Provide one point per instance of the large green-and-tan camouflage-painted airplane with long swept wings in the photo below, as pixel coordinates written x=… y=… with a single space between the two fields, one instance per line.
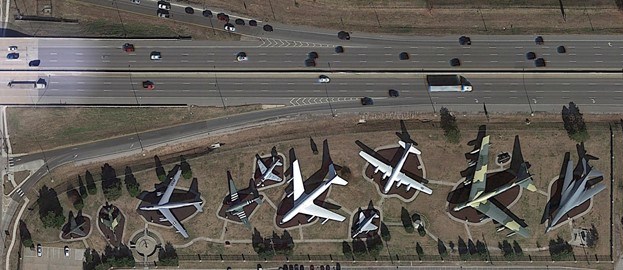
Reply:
x=483 y=201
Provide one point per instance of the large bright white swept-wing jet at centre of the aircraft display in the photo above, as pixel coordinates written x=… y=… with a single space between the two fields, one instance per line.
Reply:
x=304 y=202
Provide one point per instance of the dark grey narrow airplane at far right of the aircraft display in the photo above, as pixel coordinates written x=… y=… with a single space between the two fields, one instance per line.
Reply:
x=579 y=185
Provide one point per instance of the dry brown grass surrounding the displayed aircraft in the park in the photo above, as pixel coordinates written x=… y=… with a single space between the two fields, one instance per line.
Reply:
x=543 y=145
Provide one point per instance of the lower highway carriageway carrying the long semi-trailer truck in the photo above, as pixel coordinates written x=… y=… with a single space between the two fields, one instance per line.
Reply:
x=290 y=89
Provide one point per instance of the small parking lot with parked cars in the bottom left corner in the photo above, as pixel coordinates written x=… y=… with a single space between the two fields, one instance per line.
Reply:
x=53 y=258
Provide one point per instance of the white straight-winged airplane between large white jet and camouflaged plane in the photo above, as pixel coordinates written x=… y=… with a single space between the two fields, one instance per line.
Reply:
x=394 y=174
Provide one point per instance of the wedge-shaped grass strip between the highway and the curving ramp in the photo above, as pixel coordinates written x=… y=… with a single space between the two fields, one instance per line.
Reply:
x=55 y=127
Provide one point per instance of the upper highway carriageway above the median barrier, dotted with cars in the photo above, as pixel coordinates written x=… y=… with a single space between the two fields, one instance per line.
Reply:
x=504 y=53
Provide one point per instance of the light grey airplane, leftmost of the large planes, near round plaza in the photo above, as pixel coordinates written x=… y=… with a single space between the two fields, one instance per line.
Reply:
x=164 y=205
